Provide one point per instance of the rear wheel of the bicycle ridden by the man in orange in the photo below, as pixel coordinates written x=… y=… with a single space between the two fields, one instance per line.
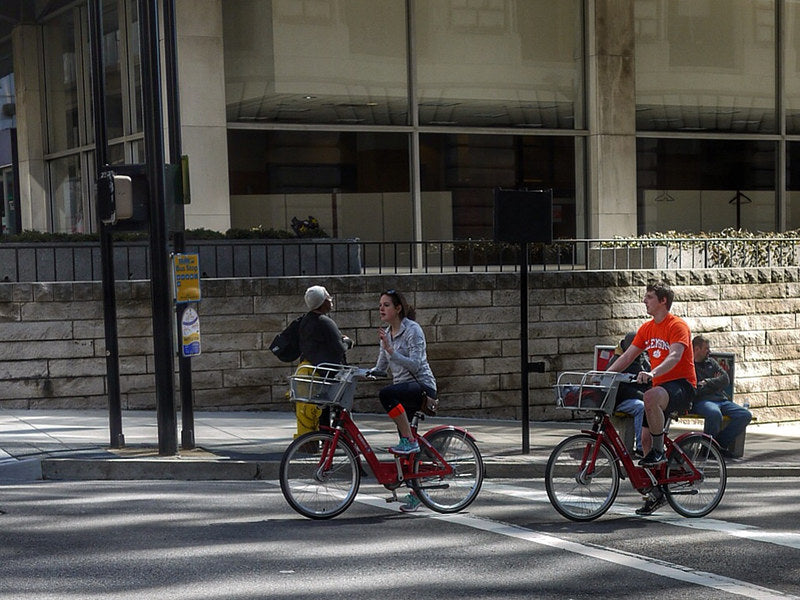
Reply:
x=696 y=498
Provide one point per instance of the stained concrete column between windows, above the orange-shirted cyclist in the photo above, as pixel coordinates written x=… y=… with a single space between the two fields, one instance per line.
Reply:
x=612 y=118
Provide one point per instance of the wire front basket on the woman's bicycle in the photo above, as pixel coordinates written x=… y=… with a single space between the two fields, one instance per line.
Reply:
x=325 y=384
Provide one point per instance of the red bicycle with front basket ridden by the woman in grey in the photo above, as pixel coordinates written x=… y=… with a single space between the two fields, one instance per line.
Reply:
x=320 y=472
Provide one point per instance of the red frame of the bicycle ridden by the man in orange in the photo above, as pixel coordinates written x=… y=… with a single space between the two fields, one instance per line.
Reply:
x=641 y=478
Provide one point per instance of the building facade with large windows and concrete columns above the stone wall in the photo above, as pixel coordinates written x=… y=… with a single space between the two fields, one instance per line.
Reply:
x=396 y=119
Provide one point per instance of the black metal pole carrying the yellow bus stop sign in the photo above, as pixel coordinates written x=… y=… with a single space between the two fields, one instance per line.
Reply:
x=178 y=236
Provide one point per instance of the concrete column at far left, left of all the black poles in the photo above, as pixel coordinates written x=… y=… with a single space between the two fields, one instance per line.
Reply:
x=28 y=79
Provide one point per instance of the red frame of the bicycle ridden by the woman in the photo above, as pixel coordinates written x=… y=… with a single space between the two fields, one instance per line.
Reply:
x=394 y=472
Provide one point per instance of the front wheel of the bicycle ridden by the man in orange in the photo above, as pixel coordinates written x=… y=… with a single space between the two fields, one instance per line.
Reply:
x=581 y=488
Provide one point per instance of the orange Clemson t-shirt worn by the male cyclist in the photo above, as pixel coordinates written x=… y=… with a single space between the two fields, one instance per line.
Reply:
x=656 y=338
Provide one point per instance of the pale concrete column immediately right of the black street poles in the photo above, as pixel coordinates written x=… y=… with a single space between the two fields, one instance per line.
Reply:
x=201 y=69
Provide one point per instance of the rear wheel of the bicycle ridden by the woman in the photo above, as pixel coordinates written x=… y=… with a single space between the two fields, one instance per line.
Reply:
x=456 y=491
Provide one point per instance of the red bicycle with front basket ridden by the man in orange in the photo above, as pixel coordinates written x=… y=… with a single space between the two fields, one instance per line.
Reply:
x=583 y=472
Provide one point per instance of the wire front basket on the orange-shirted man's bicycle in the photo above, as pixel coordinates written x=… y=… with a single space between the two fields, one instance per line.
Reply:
x=592 y=390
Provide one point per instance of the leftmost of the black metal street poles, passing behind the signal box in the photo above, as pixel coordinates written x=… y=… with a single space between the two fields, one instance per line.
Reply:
x=117 y=439
